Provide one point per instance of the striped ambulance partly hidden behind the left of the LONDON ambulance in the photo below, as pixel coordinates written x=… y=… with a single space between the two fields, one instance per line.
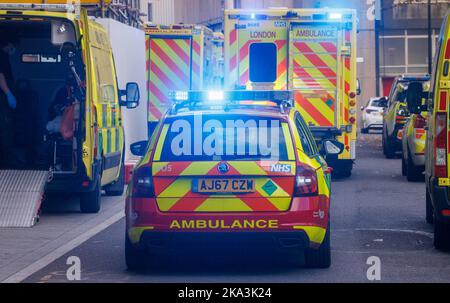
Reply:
x=179 y=57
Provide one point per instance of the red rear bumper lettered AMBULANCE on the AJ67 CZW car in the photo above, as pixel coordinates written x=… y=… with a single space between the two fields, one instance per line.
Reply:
x=307 y=218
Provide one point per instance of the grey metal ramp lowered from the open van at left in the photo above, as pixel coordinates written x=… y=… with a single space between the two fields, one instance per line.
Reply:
x=21 y=193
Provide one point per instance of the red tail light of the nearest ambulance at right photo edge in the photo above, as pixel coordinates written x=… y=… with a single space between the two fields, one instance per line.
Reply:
x=440 y=146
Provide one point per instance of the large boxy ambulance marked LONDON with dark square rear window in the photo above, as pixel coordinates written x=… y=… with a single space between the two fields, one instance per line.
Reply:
x=309 y=51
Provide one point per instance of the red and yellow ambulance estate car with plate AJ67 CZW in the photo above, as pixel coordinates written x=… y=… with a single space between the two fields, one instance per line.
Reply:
x=226 y=166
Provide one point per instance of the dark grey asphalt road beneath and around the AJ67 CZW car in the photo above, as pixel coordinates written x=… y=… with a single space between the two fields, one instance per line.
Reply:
x=376 y=212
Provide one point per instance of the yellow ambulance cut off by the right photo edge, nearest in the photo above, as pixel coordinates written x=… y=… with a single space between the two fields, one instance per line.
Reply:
x=437 y=143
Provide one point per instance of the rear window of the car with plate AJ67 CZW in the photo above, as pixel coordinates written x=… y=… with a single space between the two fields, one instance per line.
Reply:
x=226 y=138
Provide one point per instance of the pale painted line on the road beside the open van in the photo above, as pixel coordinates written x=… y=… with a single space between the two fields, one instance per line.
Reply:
x=61 y=251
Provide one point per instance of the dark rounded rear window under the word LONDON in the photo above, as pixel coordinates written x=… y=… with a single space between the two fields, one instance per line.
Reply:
x=263 y=62
